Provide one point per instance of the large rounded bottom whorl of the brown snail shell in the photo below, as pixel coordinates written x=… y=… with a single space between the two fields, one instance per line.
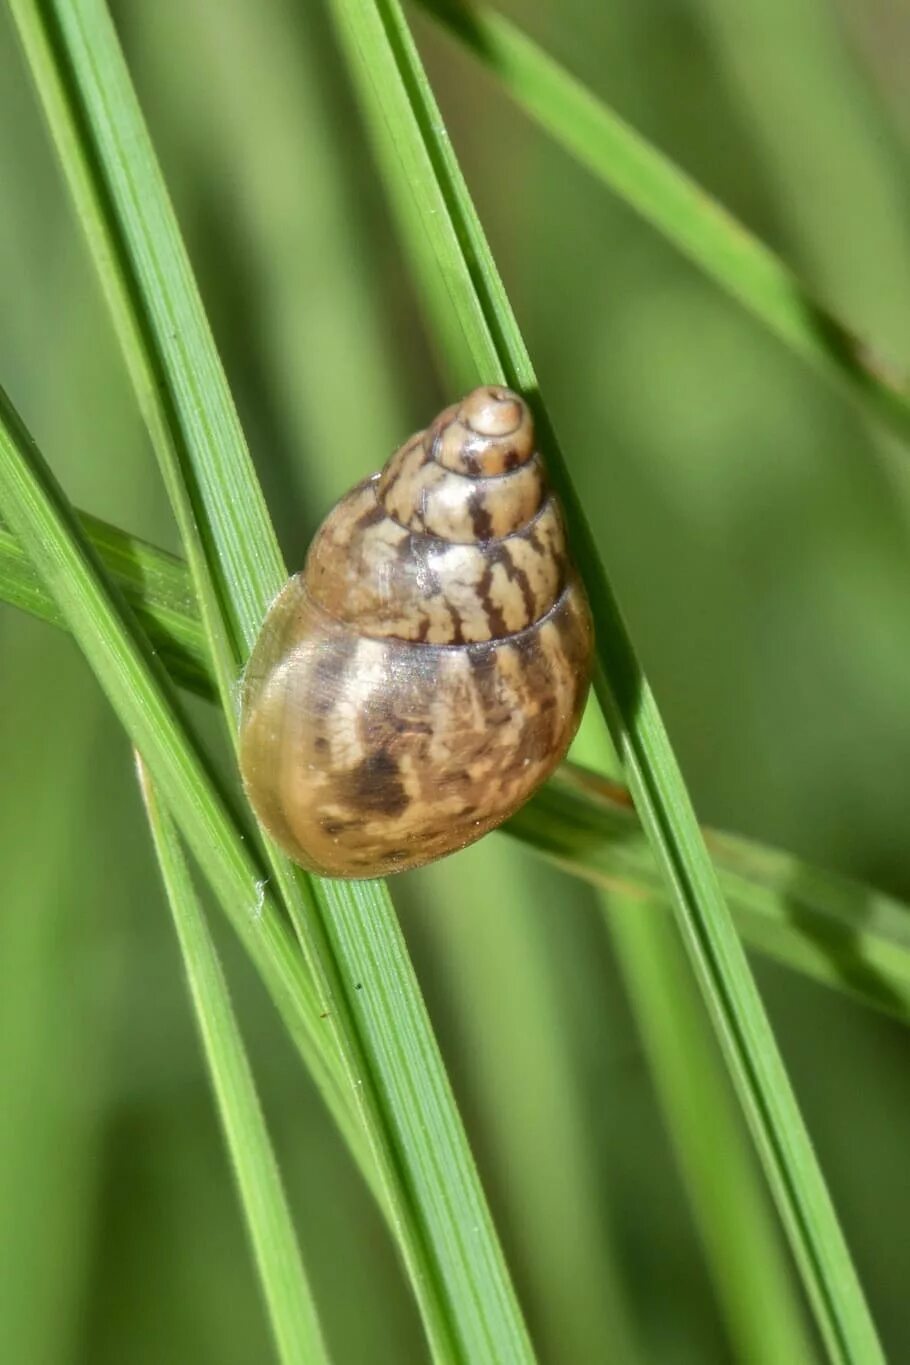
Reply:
x=429 y=747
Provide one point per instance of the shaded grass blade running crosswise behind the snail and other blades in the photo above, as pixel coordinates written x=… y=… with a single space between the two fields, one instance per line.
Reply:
x=842 y=934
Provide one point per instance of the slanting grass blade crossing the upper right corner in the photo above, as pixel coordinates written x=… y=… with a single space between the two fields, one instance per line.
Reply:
x=673 y=204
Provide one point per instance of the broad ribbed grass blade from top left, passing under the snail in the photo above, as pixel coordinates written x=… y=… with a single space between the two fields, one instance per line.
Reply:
x=456 y=1267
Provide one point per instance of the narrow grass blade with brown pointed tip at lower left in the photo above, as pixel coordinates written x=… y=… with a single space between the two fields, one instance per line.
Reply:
x=284 y=1282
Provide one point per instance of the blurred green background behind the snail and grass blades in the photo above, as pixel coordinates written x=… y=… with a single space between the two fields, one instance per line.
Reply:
x=758 y=533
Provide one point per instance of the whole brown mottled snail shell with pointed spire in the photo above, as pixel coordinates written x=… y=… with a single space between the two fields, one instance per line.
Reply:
x=428 y=670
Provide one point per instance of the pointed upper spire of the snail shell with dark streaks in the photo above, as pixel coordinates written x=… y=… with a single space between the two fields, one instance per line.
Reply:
x=456 y=541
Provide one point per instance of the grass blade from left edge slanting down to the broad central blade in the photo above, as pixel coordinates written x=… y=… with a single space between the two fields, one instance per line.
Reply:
x=137 y=687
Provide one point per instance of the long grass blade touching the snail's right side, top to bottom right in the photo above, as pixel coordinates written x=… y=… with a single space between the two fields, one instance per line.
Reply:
x=429 y=188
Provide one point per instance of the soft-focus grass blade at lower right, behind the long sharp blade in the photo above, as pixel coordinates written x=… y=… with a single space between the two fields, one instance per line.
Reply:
x=746 y=1254
